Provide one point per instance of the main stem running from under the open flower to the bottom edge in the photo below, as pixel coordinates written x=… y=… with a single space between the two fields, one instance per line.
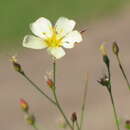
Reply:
x=55 y=96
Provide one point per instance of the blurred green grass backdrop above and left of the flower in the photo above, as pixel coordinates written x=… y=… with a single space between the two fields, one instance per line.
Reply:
x=16 y=15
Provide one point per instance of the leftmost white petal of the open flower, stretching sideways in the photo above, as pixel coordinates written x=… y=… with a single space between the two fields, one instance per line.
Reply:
x=33 y=42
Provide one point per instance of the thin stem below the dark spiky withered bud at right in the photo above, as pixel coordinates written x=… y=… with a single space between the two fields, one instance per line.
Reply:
x=114 y=110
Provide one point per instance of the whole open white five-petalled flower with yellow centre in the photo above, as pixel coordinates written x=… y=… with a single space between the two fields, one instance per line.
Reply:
x=53 y=37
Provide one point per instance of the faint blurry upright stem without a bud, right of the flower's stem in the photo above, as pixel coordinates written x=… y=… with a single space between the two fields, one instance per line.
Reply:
x=83 y=105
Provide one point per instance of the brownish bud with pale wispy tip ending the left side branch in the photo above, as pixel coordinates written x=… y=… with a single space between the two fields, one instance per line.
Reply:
x=16 y=65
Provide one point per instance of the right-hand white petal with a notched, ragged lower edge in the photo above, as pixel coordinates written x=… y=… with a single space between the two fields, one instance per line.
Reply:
x=71 y=38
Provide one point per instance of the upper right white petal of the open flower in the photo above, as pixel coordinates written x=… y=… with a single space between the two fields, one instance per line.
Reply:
x=64 y=26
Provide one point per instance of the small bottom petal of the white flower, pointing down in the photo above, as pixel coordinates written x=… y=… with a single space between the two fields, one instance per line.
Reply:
x=56 y=52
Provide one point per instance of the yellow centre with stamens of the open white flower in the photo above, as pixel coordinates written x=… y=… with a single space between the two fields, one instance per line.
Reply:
x=54 y=40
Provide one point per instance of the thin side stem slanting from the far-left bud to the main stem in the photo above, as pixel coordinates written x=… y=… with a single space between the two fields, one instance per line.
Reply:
x=37 y=88
